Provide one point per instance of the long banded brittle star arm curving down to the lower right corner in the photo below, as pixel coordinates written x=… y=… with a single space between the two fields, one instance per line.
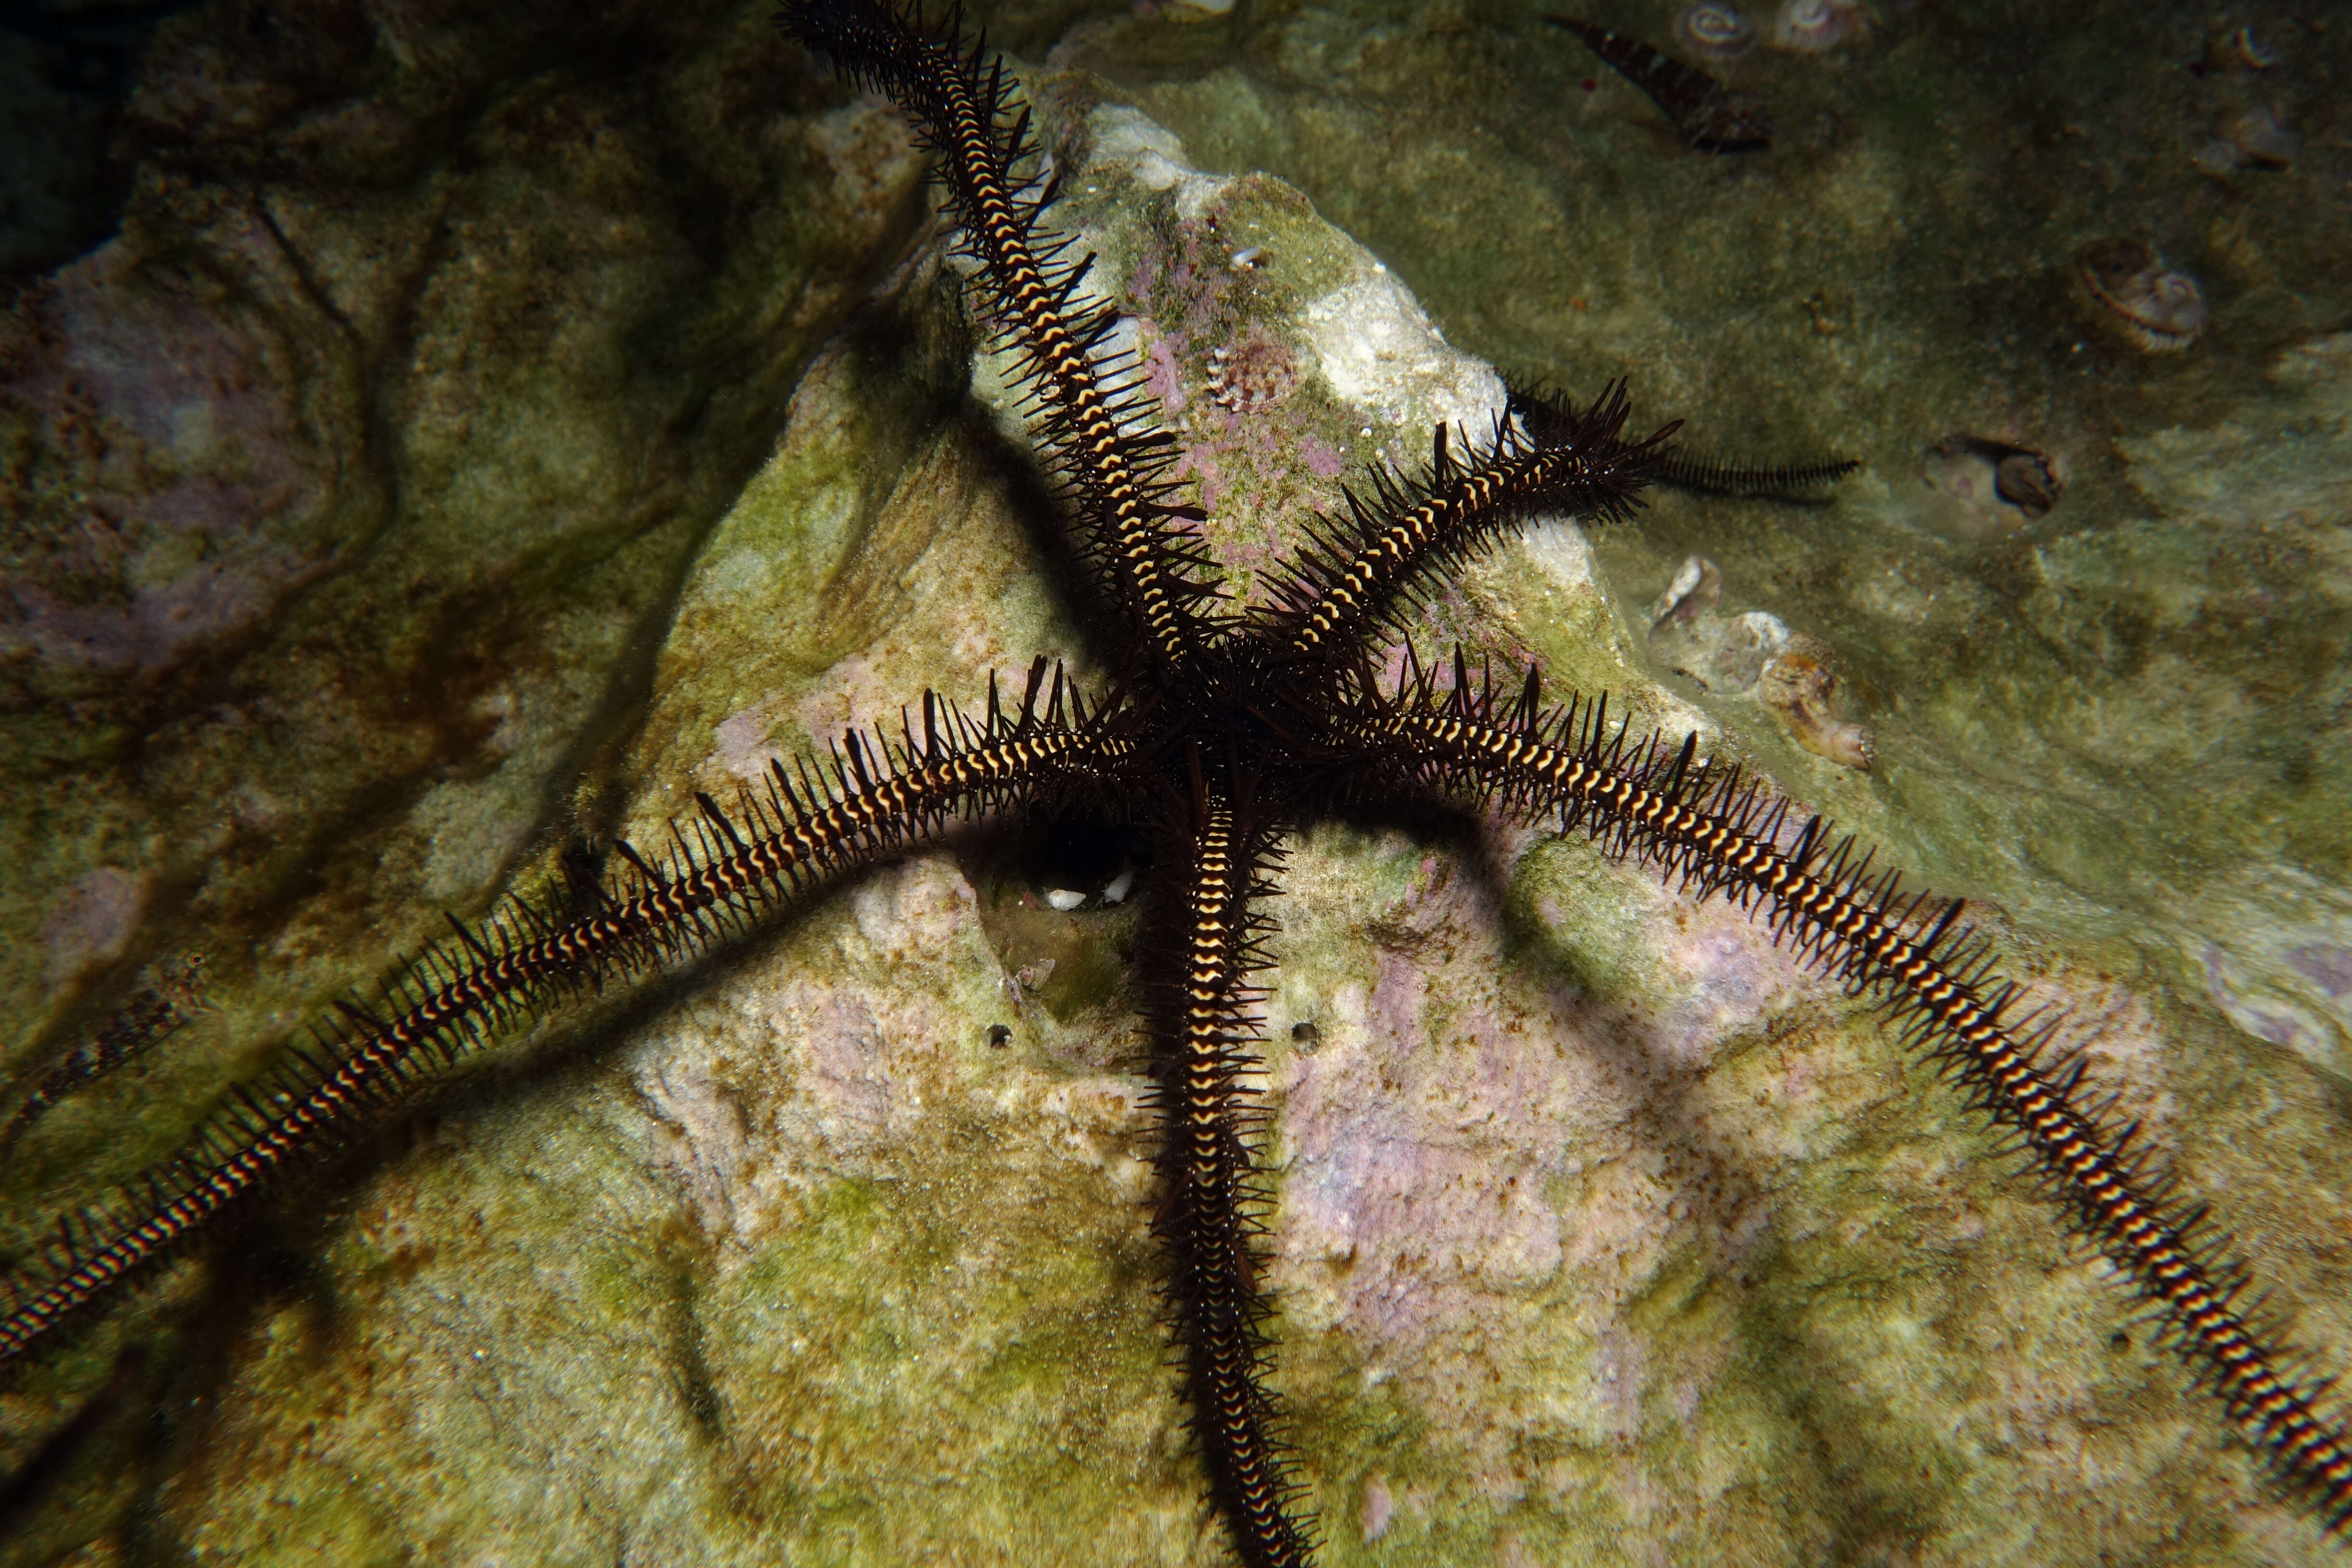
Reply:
x=1720 y=836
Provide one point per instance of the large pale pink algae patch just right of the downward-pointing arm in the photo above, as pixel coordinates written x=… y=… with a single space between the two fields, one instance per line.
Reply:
x=1481 y=1155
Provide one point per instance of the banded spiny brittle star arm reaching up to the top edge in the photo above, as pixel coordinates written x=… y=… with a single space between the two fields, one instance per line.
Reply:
x=1116 y=476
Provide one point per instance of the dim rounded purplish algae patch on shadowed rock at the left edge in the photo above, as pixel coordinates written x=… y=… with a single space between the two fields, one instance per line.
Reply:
x=161 y=495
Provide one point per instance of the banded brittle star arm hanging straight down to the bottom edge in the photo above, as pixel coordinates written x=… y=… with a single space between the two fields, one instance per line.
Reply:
x=1203 y=1031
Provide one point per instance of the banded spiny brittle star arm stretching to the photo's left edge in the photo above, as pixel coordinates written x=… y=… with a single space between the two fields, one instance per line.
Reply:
x=878 y=798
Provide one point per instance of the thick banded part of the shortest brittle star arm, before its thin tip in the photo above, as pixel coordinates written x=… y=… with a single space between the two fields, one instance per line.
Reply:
x=1351 y=582
